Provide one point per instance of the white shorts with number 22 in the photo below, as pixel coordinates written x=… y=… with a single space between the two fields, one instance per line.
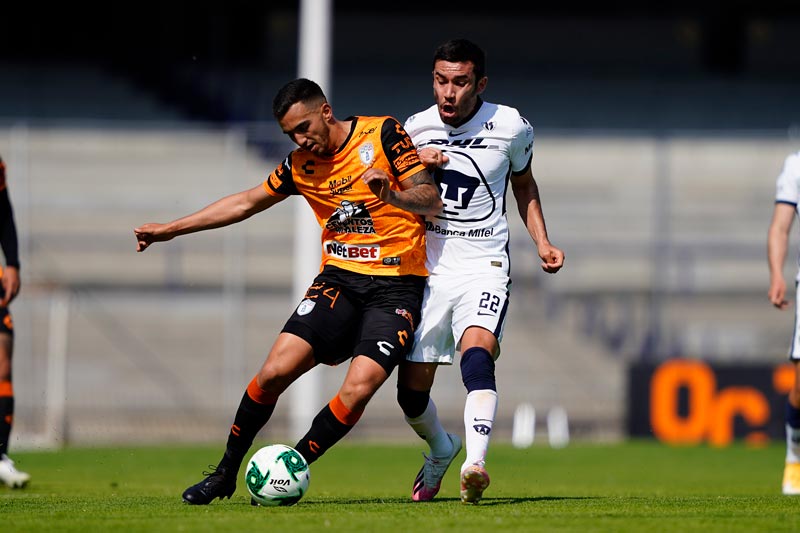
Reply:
x=450 y=306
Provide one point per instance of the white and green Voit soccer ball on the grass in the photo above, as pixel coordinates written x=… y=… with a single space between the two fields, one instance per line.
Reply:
x=277 y=475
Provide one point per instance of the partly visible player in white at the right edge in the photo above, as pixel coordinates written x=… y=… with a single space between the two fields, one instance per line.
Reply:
x=787 y=199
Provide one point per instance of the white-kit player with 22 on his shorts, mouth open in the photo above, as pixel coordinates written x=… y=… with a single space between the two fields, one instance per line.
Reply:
x=474 y=148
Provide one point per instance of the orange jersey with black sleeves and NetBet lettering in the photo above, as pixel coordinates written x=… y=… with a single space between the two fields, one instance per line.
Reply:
x=360 y=233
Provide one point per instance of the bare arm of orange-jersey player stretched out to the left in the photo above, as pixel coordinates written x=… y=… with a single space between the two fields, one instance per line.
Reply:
x=223 y=212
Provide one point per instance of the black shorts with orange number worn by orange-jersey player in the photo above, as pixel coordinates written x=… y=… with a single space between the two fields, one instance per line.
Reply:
x=345 y=314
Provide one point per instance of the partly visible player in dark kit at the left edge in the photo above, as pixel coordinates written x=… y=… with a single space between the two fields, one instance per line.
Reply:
x=9 y=279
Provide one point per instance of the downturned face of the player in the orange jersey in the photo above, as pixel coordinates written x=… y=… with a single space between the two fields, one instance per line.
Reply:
x=308 y=125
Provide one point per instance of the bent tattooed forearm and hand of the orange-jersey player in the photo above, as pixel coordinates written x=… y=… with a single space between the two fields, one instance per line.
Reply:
x=418 y=195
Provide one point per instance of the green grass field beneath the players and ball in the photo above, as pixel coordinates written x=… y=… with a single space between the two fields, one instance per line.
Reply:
x=638 y=486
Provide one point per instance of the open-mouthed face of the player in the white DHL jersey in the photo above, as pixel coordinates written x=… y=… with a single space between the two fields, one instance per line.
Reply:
x=456 y=90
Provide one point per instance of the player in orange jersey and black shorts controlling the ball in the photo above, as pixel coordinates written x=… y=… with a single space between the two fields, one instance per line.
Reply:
x=367 y=187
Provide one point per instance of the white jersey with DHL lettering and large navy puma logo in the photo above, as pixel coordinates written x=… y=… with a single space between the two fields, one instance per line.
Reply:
x=471 y=232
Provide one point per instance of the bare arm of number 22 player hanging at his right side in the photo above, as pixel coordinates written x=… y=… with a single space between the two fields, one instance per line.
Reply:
x=529 y=204
